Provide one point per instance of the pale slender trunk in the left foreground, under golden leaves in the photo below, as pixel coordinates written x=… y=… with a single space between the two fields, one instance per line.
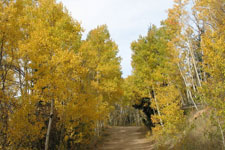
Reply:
x=49 y=125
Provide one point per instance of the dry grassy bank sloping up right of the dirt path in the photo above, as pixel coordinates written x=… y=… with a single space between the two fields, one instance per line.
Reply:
x=199 y=134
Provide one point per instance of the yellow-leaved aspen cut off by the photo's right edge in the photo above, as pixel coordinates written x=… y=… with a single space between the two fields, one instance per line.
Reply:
x=212 y=45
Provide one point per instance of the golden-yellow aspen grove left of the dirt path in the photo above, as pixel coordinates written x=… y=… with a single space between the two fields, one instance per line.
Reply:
x=56 y=90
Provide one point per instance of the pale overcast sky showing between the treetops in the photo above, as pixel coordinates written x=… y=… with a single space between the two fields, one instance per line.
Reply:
x=126 y=20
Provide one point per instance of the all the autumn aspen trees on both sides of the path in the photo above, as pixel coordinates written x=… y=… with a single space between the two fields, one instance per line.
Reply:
x=59 y=92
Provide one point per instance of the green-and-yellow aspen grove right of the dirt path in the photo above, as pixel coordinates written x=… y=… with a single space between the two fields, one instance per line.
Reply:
x=182 y=64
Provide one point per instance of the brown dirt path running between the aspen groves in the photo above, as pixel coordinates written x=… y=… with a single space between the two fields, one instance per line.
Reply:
x=125 y=138
